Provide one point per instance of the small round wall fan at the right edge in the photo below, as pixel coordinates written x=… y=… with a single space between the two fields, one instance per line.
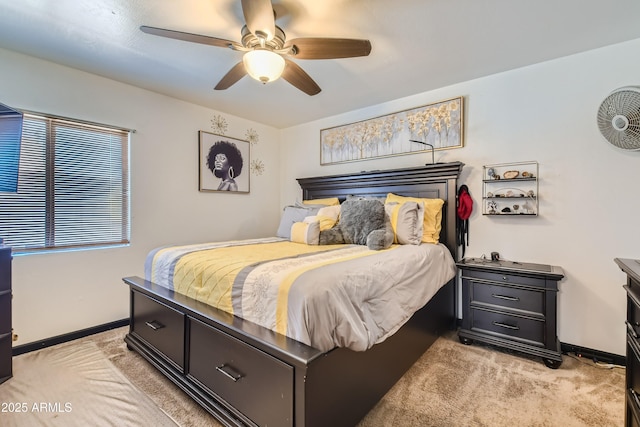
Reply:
x=619 y=118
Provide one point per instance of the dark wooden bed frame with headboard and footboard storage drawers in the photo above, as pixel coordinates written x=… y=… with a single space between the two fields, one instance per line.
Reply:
x=247 y=375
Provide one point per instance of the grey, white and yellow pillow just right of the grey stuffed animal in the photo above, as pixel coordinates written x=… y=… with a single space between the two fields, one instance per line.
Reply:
x=407 y=221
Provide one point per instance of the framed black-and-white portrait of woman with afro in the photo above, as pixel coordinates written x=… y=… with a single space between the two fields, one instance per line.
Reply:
x=224 y=163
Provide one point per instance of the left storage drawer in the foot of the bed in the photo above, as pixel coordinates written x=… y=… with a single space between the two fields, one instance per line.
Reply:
x=159 y=325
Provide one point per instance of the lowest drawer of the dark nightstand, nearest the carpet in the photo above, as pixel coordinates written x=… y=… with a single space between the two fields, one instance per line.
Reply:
x=515 y=327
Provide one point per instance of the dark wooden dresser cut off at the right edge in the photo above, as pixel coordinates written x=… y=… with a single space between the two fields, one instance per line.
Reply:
x=631 y=268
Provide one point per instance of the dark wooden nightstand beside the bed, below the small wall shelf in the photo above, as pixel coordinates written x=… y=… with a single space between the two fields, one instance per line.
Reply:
x=511 y=305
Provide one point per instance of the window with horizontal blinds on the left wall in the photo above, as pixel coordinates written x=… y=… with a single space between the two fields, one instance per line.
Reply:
x=72 y=187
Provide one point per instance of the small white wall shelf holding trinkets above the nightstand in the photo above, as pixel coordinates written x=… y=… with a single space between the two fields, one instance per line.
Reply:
x=510 y=189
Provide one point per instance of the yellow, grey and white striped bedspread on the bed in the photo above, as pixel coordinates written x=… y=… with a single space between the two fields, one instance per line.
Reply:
x=323 y=296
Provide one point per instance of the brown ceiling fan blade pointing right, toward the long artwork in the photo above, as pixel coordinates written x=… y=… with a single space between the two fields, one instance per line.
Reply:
x=328 y=48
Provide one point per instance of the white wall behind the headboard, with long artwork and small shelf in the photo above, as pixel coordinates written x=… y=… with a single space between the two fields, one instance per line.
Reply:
x=589 y=200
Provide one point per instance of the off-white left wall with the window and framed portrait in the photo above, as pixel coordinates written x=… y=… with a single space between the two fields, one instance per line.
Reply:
x=63 y=292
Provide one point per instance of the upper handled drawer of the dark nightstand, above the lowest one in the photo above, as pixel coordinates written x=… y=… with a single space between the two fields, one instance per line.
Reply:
x=508 y=296
